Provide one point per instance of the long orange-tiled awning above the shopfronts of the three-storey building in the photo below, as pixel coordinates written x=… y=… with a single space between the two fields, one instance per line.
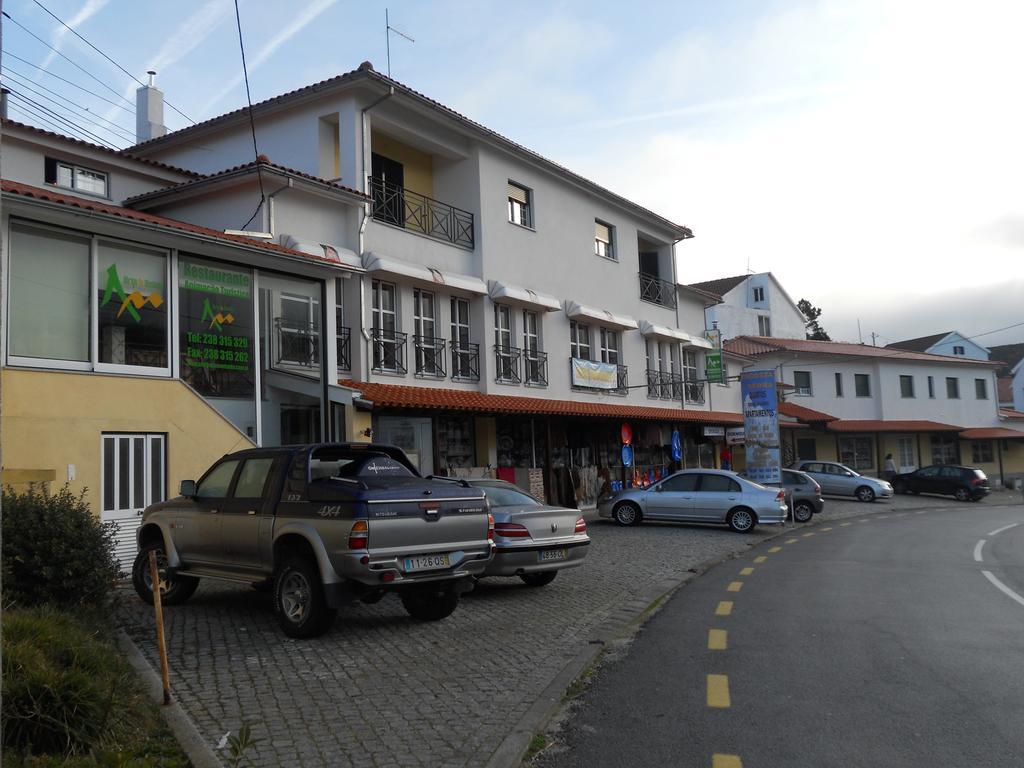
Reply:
x=432 y=399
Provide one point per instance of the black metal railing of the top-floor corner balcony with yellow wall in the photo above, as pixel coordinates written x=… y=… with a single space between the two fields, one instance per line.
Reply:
x=401 y=207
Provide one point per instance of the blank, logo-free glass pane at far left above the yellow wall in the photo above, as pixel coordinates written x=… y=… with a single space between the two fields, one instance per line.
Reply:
x=50 y=295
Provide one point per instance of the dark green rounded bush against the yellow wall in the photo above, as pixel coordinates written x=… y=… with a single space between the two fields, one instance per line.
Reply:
x=56 y=551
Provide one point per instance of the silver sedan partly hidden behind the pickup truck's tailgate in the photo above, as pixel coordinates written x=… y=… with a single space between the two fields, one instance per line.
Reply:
x=534 y=541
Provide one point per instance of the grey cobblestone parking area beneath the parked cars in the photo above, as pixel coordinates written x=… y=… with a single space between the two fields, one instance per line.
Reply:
x=381 y=690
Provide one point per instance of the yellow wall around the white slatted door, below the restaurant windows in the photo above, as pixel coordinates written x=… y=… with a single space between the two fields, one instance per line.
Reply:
x=51 y=420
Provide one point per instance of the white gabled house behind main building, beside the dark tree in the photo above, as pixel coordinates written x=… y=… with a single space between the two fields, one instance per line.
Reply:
x=754 y=306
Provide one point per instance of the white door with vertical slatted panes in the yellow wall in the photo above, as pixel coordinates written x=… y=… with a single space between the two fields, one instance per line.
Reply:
x=134 y=478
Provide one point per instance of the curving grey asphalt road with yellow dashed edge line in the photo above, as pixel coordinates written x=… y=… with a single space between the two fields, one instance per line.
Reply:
x=895 y=639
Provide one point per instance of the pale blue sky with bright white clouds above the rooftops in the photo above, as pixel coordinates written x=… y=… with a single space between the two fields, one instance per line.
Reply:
x=868 y=153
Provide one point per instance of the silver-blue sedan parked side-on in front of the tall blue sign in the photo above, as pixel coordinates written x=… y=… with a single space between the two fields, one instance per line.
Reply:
x=699 y=496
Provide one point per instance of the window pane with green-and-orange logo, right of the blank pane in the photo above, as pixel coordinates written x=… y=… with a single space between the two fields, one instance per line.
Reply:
x=133 y=317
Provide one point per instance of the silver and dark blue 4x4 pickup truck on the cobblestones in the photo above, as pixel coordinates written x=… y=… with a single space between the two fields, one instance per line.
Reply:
x=324 y=526
